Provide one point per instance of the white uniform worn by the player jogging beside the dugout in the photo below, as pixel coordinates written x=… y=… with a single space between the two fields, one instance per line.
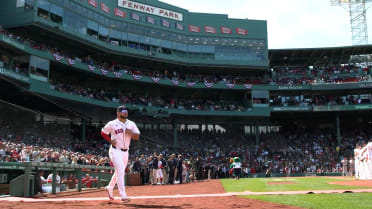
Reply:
x=119 y=154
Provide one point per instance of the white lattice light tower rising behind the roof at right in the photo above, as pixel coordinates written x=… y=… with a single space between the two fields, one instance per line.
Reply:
x=357 y=11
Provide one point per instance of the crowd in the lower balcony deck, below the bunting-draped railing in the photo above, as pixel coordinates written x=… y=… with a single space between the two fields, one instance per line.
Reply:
x=207 y=104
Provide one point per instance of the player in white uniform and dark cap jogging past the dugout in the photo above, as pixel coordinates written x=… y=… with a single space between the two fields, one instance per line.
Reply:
x=119 y=133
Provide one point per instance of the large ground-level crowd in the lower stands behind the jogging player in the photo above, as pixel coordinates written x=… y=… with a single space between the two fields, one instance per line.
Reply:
x=204 y=154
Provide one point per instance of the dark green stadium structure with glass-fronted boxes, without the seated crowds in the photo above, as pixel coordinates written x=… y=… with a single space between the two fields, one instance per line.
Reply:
x=158 y=36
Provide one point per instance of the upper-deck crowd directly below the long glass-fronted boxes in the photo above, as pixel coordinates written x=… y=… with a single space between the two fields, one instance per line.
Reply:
x=114 y=66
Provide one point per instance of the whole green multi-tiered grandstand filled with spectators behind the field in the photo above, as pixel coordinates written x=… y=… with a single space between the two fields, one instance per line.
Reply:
x=201 y=85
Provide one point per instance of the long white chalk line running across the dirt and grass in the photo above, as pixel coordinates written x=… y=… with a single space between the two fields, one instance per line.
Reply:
x=22 y=199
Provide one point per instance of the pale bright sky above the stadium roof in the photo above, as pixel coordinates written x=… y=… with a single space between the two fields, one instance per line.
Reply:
x=290 y=23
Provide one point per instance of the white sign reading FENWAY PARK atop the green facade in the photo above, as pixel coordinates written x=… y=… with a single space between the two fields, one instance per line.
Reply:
x=150 y=10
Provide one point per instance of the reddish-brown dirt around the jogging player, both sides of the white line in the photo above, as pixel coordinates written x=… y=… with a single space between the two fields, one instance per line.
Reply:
x=206 y=187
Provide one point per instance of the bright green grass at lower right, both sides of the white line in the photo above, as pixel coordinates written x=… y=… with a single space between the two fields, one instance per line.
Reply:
x=313 y=201
